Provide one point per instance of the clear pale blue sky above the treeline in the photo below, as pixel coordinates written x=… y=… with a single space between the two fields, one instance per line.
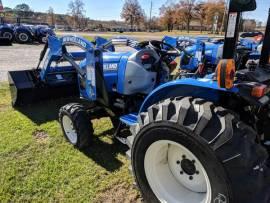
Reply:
x=111 y=9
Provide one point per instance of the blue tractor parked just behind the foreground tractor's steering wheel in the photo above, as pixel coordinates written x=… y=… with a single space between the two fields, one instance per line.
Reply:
x=199 y=55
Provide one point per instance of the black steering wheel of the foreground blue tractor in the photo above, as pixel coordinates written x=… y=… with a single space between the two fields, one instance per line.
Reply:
x=162 y=48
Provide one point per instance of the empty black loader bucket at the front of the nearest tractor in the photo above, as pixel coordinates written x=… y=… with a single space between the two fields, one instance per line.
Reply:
x=26 y=88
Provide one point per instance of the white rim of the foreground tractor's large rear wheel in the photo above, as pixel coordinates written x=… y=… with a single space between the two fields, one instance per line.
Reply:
x=164 y=162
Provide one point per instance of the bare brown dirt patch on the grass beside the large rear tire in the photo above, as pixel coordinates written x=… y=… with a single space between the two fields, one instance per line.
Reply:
x=122 y=193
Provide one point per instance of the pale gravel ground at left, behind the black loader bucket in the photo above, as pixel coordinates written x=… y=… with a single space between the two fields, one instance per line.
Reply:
x=18 y=57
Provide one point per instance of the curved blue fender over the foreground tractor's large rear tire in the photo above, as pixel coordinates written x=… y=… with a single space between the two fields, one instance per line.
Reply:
x=204 y=88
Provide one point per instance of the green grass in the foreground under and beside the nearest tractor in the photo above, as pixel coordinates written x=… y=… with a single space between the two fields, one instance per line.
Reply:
x=38 y=165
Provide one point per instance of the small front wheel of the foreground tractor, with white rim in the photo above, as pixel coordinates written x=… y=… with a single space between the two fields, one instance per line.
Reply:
x=76 y=125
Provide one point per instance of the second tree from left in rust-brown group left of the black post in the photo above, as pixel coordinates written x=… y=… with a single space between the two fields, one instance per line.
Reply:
x=186 y=7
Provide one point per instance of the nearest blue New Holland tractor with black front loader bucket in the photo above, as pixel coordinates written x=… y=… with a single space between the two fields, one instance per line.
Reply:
x=191 y=140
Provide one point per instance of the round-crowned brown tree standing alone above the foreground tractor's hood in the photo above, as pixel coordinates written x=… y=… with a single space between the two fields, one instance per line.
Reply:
x=132 y=13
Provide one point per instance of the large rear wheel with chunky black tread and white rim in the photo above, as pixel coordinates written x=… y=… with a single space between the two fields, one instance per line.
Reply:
x=234 y=163
